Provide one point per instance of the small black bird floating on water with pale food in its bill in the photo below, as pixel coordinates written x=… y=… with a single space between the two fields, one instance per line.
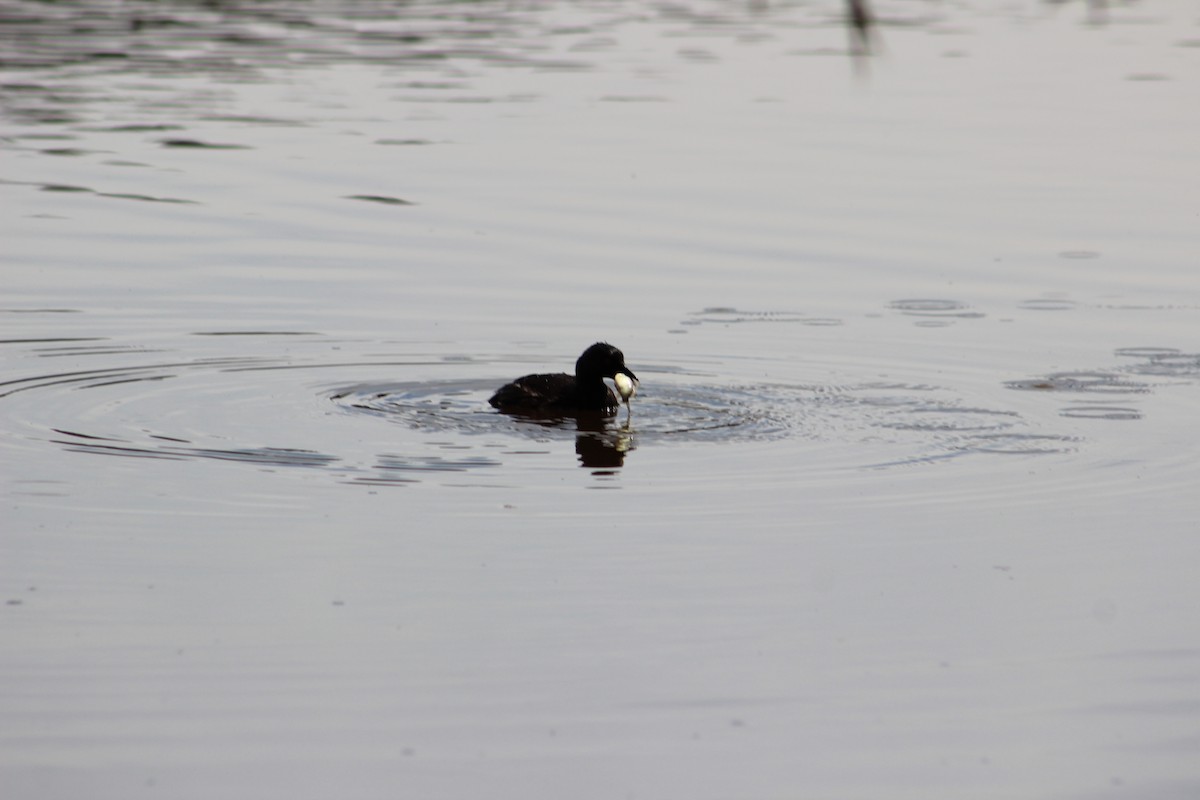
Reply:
x=561 y=393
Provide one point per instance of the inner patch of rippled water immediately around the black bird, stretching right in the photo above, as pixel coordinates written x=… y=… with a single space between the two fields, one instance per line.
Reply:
x=925 y=422
